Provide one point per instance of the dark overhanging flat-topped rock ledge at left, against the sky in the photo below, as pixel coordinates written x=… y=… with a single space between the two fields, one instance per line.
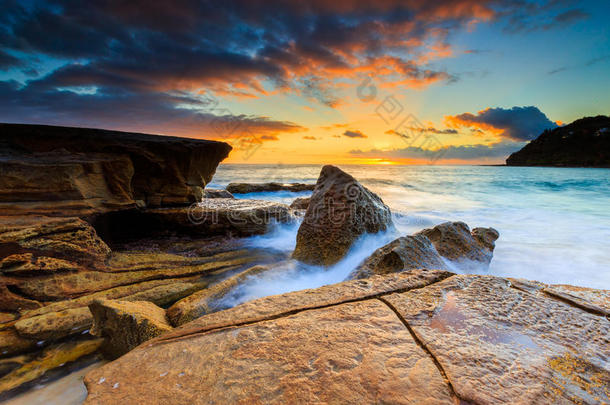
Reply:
x=62 y=171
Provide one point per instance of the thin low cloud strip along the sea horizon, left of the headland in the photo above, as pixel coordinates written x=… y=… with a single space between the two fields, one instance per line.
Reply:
x=463 y=153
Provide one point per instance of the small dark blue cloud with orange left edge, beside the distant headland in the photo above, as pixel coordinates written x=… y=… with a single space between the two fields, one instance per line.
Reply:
x=517 y=123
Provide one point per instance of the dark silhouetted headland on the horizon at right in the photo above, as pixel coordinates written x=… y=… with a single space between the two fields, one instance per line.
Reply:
x=583 y=143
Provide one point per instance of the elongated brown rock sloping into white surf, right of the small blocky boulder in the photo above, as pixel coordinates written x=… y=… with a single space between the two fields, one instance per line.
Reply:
x=203 y=302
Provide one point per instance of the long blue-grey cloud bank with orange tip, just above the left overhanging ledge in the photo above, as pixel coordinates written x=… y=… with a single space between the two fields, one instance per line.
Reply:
x=173 y=114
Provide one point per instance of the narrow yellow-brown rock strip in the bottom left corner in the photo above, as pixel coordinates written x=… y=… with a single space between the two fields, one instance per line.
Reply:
x=51 y=358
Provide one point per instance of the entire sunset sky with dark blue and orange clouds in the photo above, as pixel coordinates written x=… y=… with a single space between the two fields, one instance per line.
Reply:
x=343 y=81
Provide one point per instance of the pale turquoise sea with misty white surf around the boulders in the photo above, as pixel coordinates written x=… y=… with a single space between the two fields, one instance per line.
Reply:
x=554 y=223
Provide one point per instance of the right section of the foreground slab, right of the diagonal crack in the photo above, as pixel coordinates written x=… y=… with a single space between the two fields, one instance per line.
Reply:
x=499 y=344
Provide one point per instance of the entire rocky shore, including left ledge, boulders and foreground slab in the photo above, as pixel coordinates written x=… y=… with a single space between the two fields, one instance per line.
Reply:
x=112 y=246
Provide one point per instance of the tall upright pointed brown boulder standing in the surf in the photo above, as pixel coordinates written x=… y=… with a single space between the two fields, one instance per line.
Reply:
x=340 y=211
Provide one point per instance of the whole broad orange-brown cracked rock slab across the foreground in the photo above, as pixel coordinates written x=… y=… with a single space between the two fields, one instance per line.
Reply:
x=414 y=337
